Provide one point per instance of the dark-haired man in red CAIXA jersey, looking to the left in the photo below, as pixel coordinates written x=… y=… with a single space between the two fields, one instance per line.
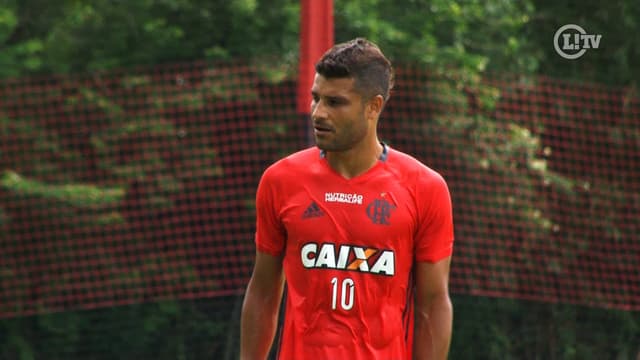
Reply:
x=362 y=233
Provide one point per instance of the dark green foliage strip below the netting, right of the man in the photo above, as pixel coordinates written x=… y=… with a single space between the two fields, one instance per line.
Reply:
x=488 y=328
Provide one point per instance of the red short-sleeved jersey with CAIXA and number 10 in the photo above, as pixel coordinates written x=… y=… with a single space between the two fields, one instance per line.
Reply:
x=349 y=247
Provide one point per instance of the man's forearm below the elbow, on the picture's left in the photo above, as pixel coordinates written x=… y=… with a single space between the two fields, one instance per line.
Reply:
x=258 y=326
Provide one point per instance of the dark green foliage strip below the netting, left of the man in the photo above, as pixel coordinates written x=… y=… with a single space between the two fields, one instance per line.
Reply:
x=163 y=330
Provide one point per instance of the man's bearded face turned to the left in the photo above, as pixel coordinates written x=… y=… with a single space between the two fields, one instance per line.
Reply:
x=338 y=114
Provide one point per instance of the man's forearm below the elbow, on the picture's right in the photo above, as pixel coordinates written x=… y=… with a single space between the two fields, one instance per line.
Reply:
x=432 y=333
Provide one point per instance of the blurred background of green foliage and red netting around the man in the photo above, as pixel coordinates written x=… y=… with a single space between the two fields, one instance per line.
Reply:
x=133 y=135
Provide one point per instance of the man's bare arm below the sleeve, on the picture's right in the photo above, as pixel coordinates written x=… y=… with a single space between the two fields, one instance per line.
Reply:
x=434 y=312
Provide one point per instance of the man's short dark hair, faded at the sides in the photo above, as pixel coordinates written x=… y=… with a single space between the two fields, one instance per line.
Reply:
x=361 y=60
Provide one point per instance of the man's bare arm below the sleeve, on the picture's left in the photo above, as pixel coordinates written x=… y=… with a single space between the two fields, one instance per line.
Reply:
x=260 y=307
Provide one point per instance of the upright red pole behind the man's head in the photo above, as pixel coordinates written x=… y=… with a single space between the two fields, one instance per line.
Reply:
x=316 y=37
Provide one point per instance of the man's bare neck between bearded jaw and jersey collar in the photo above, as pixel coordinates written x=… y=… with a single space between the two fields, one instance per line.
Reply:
x=357 y=160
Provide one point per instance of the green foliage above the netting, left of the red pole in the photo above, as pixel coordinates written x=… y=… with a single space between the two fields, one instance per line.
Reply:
x=76 y=36
